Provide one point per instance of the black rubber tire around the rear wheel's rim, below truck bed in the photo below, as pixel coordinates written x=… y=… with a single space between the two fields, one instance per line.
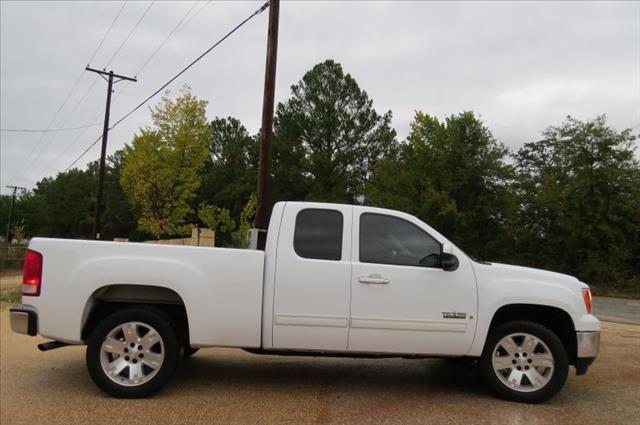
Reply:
x=170 y=349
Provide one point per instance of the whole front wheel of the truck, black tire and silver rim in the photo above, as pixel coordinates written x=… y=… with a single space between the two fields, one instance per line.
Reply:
x=524 y=361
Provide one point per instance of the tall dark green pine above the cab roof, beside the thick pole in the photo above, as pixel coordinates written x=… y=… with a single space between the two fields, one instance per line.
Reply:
x=327 y=138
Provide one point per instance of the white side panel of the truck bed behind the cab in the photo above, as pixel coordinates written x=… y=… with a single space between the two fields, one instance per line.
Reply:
x=221 y=288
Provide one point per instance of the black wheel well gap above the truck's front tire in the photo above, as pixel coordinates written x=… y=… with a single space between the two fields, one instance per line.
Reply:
x=555 y=319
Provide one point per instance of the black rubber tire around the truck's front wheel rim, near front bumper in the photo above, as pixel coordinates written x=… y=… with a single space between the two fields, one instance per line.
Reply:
x=556 y=379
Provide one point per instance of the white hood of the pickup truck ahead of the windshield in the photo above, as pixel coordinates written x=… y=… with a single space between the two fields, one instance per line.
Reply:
x=507 y=271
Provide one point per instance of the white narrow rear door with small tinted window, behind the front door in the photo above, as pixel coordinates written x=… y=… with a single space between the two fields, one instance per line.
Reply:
x=312 y=278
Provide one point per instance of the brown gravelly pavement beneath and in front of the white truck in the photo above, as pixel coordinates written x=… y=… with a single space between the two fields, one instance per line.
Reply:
x=230 y=386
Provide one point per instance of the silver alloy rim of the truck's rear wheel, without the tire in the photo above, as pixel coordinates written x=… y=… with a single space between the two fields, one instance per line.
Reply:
x=132 y=354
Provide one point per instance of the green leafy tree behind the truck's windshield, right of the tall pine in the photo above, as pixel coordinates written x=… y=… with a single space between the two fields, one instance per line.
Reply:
x=452 y=175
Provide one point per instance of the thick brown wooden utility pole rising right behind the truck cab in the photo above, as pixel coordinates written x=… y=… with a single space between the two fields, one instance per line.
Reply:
x=266 y=131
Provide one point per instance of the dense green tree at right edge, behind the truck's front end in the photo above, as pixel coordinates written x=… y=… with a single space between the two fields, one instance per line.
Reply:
x=580 y=202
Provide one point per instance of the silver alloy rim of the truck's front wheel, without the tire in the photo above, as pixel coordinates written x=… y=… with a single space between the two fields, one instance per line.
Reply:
x=523 y=362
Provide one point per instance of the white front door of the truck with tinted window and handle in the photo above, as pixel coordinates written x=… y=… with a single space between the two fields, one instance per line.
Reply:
x=402 y=300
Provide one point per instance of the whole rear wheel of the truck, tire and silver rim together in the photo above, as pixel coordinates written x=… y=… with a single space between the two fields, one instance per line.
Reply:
x=132 y=353
